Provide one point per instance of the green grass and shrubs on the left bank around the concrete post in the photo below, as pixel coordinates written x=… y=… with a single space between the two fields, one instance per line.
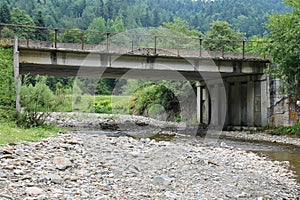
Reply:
x=9 y=118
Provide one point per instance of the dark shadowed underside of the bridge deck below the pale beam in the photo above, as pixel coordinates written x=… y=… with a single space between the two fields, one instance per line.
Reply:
x=111 y=72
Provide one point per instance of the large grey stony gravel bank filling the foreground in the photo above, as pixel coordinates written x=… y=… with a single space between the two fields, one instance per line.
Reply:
x=93 y=166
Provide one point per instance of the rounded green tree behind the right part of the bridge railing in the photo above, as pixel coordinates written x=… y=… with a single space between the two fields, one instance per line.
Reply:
x=222 y=35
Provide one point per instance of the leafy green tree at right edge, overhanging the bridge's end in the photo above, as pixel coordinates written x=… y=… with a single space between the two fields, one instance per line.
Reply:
x=285 y=46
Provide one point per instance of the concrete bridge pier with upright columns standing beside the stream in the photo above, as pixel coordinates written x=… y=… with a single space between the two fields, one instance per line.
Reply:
x=237 y=102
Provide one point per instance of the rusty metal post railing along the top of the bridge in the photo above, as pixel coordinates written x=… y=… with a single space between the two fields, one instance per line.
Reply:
x=154 y=42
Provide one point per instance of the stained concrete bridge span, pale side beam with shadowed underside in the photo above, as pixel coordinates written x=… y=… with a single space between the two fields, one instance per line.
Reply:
x=46 y=61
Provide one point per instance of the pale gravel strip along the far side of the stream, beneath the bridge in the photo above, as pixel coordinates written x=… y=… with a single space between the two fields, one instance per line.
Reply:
x=152 y=126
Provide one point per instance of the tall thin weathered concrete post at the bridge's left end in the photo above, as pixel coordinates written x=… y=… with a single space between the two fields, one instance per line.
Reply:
x=17 y=75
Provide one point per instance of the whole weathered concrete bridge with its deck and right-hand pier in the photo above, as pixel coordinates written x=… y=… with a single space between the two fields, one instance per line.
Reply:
x=231 y=91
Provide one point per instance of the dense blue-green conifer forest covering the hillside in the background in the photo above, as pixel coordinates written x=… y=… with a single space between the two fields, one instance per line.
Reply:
x=245 y=16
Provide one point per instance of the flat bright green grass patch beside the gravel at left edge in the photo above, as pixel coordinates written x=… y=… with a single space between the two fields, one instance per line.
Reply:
x=10 y=132
